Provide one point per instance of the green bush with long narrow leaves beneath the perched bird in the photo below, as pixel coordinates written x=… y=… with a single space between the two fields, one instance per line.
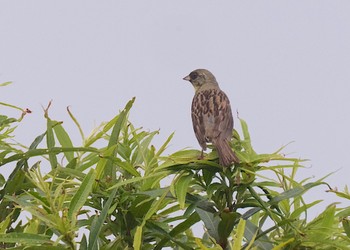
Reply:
x=126 y=194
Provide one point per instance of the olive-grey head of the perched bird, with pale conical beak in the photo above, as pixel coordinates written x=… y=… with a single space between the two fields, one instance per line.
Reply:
x=201 y=79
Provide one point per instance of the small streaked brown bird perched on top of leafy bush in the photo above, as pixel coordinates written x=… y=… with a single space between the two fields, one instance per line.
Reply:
x=211 y=115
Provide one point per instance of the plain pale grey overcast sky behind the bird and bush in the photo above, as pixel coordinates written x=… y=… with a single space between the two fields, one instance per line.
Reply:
x=285 y=66
